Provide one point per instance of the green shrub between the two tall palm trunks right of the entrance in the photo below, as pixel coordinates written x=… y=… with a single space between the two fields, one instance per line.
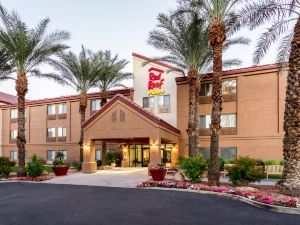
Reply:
x=193 y=168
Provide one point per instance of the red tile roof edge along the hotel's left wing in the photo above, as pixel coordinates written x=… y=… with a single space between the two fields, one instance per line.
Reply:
x=75 y=97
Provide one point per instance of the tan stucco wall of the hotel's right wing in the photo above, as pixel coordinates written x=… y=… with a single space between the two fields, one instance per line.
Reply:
x=259 y=108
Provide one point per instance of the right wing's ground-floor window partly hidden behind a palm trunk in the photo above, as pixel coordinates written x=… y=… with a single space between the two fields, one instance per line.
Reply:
x=226 y=153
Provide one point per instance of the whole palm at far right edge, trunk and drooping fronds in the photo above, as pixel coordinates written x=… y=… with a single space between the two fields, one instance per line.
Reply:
x=285 y=29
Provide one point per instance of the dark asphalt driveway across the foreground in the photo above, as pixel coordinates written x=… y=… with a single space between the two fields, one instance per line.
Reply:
x=41 y=204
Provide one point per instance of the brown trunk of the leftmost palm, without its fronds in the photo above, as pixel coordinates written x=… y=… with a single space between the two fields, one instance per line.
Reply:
x=21 y=88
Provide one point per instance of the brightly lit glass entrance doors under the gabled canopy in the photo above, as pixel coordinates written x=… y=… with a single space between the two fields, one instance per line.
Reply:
x=139 y=155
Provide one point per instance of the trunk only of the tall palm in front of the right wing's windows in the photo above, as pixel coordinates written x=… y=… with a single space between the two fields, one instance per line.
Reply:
x=216 y=39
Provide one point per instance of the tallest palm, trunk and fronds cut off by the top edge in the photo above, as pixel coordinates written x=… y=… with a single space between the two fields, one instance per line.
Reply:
x=220 y=16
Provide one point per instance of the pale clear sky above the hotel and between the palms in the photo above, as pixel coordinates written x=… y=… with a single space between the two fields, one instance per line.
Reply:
x=119 y=25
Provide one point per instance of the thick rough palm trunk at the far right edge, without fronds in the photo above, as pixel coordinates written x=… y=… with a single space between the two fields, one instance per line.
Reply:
x=291 y=146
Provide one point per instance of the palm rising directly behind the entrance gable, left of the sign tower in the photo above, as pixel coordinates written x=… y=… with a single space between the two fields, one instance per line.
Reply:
x=109 y=77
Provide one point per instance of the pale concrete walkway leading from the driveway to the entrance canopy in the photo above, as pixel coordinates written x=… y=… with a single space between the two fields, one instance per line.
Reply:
x=117 y=177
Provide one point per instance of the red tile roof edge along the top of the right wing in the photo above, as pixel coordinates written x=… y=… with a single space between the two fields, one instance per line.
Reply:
x=238 y=71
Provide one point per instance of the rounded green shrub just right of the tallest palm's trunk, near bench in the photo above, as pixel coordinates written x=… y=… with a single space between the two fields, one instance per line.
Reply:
x=245 y=171
